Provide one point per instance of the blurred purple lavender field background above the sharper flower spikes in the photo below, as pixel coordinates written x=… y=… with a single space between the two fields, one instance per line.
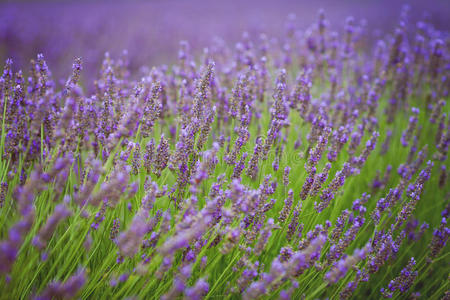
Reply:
x=151 y=30
